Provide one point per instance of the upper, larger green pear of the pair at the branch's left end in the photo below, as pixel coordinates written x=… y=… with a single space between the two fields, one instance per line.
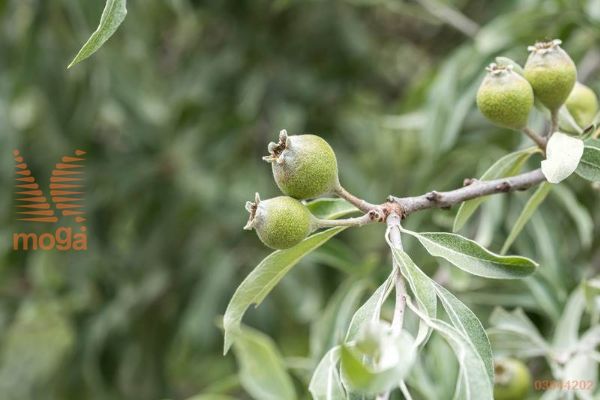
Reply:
x=304 y=166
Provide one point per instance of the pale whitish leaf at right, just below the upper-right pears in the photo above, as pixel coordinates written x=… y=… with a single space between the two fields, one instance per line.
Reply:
x=563 y=154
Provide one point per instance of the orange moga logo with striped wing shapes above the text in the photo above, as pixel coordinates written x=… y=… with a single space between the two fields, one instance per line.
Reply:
x=66 y=193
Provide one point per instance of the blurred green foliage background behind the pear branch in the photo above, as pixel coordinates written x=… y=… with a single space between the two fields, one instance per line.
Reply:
x=175 y=113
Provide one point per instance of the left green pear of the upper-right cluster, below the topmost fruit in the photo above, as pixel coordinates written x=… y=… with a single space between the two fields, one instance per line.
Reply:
x=505 y=97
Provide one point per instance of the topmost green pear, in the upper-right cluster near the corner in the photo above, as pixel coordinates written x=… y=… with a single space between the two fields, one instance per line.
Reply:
x=551 y=73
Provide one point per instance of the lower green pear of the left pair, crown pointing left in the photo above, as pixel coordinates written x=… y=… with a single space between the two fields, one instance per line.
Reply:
x=280 y=222
